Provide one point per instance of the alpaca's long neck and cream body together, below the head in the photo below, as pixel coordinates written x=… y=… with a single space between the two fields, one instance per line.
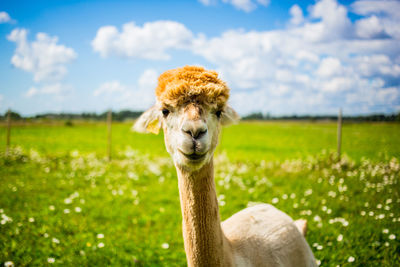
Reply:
x=256 y=236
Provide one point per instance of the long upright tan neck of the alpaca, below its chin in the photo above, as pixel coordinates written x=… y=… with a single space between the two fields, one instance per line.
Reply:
x=205 y=243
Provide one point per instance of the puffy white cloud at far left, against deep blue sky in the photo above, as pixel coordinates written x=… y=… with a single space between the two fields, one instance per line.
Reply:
x=43 y=57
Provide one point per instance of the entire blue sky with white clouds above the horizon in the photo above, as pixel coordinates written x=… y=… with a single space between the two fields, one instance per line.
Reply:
x=281 y=57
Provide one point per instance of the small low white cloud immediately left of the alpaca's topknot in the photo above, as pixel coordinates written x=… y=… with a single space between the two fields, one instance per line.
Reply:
x=119 y=96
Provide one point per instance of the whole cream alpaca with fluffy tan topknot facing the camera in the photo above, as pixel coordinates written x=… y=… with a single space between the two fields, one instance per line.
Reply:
x=191 y=106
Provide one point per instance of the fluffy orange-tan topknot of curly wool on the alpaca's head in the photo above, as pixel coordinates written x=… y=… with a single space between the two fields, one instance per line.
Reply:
x=191 y=83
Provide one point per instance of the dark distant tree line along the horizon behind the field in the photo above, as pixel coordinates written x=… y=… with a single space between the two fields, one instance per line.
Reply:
x=130 y=115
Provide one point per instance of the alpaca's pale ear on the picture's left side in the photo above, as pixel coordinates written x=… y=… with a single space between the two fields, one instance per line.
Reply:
x=148 y=122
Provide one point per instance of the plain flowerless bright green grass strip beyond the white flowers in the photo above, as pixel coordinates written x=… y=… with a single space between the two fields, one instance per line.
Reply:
x=245 y=141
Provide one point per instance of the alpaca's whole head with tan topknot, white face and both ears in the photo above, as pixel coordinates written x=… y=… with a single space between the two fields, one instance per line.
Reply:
x=190 y=108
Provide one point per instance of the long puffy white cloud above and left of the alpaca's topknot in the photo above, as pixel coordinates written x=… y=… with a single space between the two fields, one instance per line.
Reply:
x=150 y=41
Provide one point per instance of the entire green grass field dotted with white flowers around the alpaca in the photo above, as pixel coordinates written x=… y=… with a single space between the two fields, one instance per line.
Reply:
x=62 y=203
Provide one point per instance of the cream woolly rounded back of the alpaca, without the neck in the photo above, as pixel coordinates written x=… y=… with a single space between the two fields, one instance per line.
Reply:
x=262 y=235
